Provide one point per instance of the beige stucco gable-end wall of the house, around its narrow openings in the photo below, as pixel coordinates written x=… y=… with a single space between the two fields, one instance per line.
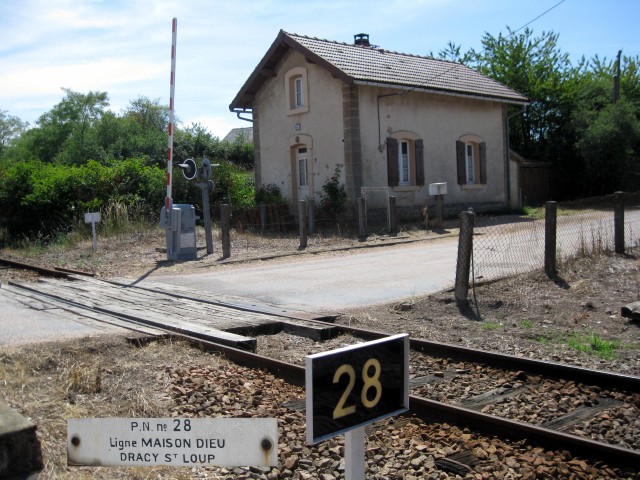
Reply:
x=321 y=125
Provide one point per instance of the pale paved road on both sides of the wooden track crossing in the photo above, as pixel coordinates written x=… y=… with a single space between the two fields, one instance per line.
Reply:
x=335 y=282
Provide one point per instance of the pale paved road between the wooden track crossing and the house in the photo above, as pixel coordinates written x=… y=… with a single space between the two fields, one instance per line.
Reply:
x=381 y=275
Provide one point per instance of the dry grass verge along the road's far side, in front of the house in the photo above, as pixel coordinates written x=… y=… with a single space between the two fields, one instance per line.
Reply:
x=138 y=251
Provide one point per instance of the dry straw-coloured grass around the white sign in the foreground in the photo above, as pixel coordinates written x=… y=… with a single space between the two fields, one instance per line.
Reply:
x=105 y=377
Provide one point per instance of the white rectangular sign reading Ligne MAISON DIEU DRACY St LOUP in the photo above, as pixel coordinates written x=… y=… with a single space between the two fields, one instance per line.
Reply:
x=172 y=441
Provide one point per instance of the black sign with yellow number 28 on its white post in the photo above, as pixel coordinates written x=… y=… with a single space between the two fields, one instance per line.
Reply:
x=354 y=386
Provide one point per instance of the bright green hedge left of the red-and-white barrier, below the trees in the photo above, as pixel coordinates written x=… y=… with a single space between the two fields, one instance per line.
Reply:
x=41 y=200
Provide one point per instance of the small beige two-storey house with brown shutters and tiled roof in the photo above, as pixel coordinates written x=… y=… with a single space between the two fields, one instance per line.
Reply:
x=392 y=123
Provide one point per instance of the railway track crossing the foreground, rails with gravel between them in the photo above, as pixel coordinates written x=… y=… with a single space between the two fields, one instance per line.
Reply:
x=557 y=406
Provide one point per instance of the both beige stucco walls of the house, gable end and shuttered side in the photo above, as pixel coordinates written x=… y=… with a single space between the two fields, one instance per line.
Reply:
x=439 y=120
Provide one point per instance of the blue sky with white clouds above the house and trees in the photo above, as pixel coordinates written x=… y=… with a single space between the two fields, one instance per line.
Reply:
x=123 y=46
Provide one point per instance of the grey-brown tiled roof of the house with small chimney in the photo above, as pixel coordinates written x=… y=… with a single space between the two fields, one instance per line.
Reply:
x=373 y=65
